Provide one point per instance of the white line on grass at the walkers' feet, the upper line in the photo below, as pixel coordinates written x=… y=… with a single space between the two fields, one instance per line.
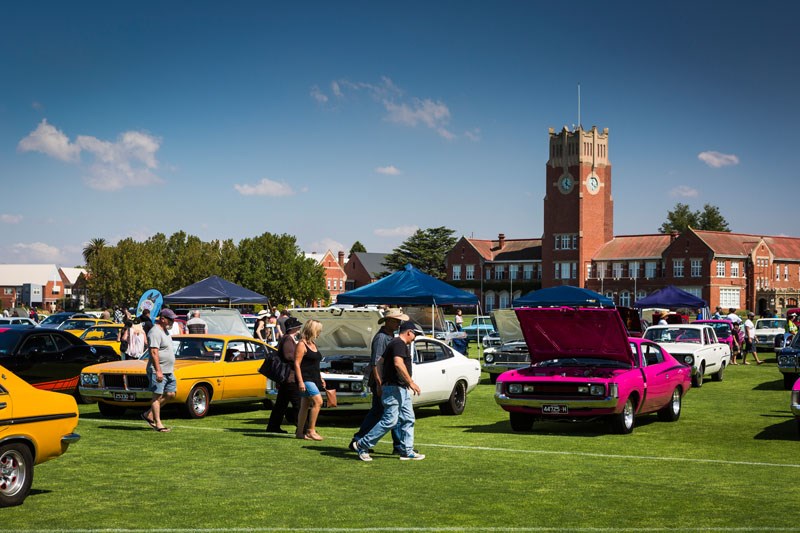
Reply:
x=513 y=450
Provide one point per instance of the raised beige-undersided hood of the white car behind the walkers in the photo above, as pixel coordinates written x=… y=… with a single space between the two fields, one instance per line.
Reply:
x=344 y=331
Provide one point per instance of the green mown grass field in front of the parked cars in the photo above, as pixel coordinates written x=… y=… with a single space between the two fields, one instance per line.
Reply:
x=730 y=463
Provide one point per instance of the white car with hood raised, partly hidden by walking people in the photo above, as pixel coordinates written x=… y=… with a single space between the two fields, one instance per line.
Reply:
x=444 y=376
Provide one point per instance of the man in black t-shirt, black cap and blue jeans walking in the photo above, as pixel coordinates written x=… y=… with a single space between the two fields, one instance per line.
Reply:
x=396 y=391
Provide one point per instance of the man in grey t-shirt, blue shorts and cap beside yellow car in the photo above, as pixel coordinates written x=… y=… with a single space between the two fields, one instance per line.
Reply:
x=160 y=368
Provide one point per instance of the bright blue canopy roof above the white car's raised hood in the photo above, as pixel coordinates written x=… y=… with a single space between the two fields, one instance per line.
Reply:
x=409 y=286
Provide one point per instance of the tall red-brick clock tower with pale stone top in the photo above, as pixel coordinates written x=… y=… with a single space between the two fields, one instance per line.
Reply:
x=578 y=208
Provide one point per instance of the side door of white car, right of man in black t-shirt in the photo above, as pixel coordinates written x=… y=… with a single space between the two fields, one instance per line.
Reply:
x=431 y=360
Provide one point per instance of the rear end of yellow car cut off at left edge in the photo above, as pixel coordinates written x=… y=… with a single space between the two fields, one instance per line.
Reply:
x=35 y=426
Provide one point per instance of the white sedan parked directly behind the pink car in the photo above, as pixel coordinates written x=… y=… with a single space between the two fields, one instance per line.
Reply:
x=695 y=345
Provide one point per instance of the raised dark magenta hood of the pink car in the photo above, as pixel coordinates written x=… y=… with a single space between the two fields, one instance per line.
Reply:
x=563 y=332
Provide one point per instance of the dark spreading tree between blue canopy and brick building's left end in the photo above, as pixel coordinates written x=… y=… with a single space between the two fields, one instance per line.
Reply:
x=426 y=250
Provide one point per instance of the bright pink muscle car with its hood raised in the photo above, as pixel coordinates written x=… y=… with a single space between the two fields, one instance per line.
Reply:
x=584 y=366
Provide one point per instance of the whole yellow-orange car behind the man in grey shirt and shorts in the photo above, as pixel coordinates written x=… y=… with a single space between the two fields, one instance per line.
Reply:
x=208 y=369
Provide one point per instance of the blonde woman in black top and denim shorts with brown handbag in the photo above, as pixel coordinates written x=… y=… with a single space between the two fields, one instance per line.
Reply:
x=309 y=380
